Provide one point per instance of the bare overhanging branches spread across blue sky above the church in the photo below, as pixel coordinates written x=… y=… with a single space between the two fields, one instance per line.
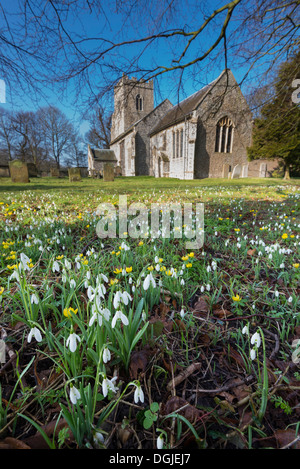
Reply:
x=180 y=36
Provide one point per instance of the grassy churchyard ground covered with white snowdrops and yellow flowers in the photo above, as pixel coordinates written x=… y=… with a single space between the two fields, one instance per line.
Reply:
x=127 y=343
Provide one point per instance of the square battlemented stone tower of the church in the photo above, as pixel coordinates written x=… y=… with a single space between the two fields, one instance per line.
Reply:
x=133 y=100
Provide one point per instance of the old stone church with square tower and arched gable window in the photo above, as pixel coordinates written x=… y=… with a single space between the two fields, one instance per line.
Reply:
x=205 y=135
